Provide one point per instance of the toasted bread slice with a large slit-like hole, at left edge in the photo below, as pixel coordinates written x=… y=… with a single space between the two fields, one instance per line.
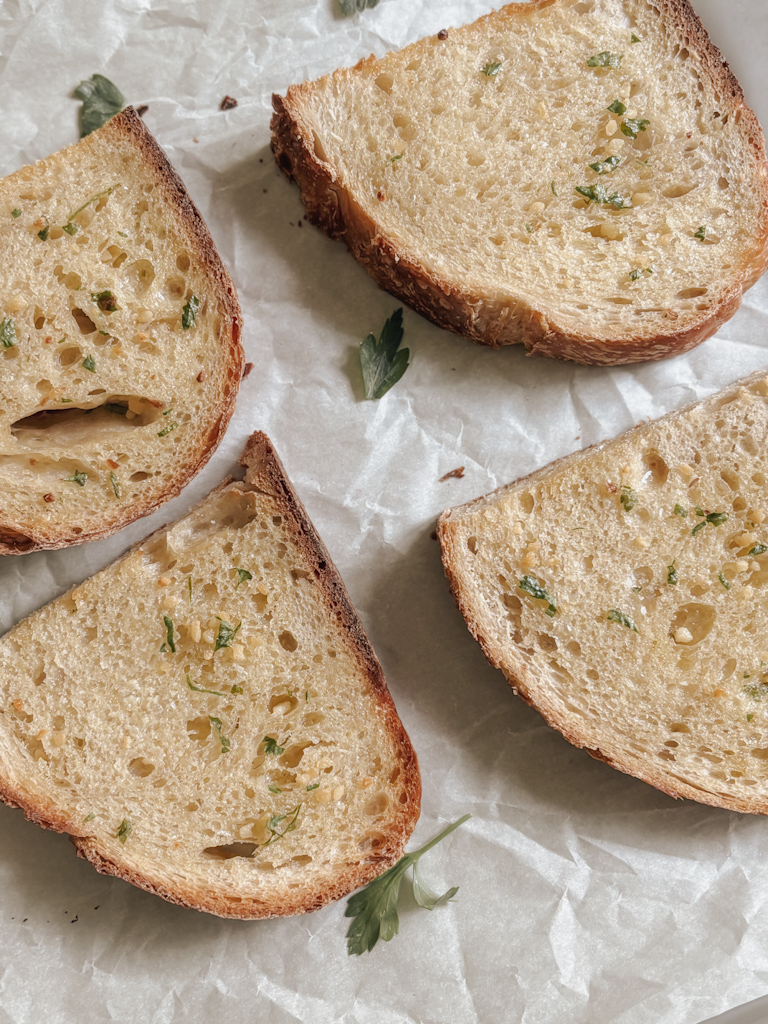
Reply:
x=120 y=355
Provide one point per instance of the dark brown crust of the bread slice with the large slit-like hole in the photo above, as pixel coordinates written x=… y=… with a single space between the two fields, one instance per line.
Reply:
x=18 y=538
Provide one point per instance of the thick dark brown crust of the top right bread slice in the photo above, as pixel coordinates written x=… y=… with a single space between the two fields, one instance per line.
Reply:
x=448 y=304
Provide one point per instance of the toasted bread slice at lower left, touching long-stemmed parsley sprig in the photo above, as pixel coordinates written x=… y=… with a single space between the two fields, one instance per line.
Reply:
x=206 y=717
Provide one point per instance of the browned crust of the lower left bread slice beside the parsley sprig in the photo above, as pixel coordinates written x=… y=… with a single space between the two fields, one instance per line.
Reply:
x=265 y=475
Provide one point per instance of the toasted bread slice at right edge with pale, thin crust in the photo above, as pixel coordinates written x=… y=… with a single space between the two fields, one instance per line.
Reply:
x=622 y=592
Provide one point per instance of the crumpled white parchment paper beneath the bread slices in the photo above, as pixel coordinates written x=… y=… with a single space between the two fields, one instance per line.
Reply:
x=585 y=897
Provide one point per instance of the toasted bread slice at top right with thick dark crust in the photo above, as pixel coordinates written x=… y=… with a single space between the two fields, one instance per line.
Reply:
x=509 y=184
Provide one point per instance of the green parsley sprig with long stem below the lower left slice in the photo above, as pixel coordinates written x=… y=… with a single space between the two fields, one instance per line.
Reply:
x=375 y=908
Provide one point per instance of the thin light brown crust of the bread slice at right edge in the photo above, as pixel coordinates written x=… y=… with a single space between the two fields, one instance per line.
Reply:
x=521 y=678
